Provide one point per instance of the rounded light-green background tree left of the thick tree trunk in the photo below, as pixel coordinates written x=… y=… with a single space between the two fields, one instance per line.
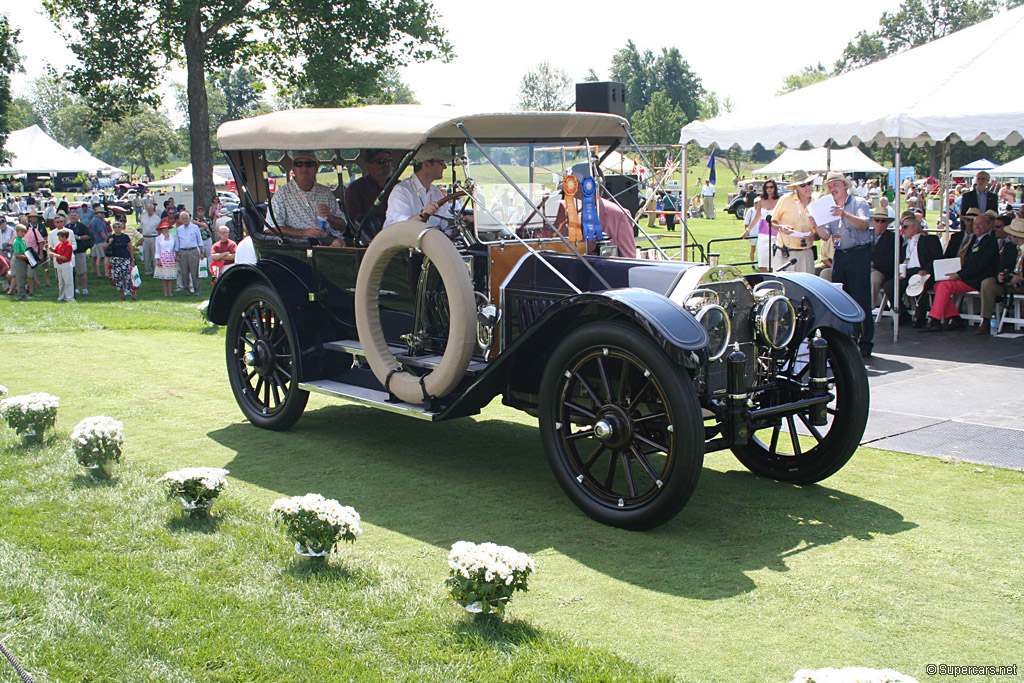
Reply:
x=145 y=139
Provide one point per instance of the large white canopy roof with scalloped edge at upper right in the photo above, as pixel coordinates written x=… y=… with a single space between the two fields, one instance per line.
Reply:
x=954 y=96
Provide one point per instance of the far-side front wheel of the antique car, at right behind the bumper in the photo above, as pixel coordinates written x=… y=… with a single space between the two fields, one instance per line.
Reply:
x=783 y=458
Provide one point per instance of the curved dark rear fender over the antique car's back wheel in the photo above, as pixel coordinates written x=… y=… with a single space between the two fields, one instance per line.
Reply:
x=306 y=316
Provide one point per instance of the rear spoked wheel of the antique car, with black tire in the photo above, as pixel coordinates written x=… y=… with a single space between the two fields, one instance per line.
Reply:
x=264 y=362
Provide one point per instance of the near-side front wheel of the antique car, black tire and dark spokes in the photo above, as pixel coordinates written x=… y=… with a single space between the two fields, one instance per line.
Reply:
x=646 y=472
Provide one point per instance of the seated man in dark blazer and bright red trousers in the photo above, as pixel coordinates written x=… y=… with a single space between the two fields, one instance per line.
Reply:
x=982 y=260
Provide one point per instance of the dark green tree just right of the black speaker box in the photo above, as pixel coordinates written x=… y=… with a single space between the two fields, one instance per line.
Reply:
x=645 y=74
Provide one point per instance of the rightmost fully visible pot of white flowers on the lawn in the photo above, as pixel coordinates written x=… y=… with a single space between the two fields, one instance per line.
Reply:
x=485 y=576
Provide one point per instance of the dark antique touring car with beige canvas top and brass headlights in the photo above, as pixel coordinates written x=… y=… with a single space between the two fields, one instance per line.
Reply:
x=634 y=368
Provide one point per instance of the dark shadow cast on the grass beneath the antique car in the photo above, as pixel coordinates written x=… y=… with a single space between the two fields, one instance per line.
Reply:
x=480 y=481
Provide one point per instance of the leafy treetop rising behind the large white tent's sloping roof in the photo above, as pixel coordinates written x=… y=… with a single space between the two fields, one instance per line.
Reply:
x=916 y=23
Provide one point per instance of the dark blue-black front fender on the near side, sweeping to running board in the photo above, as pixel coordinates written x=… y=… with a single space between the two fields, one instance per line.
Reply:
x=522 y=364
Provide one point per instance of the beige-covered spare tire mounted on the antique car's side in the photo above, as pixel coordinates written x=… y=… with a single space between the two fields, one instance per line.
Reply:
x=462 y=311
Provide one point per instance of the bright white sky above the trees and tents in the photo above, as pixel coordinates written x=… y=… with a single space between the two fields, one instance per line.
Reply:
x=742 y=49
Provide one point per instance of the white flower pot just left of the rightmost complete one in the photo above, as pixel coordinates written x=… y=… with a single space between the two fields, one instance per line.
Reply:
x=317 y=524
